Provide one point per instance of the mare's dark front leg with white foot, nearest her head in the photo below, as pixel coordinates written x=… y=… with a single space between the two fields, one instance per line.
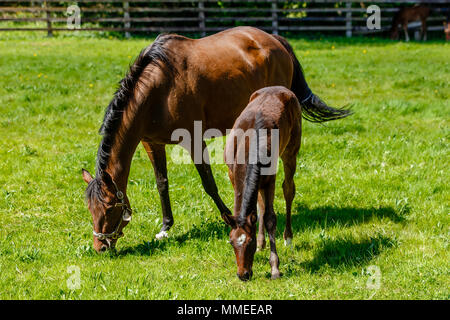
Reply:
x=157 y=155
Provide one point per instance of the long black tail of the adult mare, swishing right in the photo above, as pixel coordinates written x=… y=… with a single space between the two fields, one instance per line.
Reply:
x=313 y=109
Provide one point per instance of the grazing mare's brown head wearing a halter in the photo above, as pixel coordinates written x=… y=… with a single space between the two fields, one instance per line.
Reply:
x=110 y=210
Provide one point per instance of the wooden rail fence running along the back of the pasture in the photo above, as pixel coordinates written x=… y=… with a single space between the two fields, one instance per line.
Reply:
x=206 y=16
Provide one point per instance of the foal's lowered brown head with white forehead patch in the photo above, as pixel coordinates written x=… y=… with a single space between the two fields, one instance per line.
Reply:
x=243 y=240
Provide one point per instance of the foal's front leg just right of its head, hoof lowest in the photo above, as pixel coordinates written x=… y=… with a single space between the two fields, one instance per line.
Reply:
x=270 y=221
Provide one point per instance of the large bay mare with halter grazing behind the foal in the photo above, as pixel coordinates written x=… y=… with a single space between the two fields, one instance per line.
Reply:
x=173 y=83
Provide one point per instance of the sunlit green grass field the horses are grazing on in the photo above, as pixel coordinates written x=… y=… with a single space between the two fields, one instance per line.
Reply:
x=372 y=190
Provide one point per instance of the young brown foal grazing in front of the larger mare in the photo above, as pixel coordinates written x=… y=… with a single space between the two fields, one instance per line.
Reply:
x=269 y=108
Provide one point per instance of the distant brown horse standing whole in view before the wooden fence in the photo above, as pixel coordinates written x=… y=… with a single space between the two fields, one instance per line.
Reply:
x=405 y=15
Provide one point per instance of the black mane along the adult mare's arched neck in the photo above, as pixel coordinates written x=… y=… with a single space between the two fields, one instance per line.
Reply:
x=156 y=55
